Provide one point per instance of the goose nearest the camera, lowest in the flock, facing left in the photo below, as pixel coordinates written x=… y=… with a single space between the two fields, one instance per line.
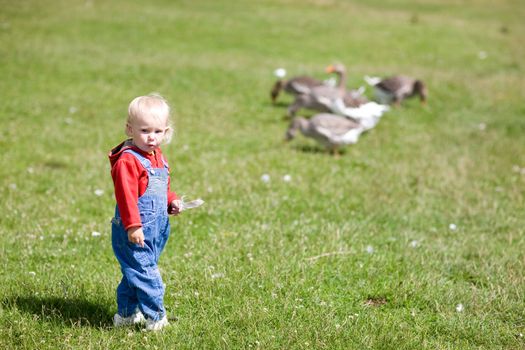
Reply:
x=330 y=130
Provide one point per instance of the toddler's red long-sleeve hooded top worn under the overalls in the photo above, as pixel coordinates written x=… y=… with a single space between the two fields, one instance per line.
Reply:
x=131 y=180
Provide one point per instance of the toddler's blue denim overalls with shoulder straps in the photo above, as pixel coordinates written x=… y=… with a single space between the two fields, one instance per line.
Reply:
x=141 y=284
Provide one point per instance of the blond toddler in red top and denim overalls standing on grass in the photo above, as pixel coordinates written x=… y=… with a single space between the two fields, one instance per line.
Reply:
x=141 y=226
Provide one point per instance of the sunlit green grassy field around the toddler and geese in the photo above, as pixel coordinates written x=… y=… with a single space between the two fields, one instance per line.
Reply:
x=412 y=239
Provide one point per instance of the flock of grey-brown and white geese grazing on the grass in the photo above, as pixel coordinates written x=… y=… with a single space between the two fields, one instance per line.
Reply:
x=344 y=114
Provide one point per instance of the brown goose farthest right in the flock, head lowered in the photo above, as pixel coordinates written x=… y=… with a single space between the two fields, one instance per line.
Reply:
x=395 y=89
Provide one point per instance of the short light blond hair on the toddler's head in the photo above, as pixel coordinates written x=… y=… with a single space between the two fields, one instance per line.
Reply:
x=151 y=106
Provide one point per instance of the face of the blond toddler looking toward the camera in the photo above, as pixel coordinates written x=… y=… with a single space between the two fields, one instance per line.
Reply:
x=147 y=133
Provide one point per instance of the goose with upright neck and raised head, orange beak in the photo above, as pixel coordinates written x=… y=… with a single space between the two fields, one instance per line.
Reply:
x=320 y=98
